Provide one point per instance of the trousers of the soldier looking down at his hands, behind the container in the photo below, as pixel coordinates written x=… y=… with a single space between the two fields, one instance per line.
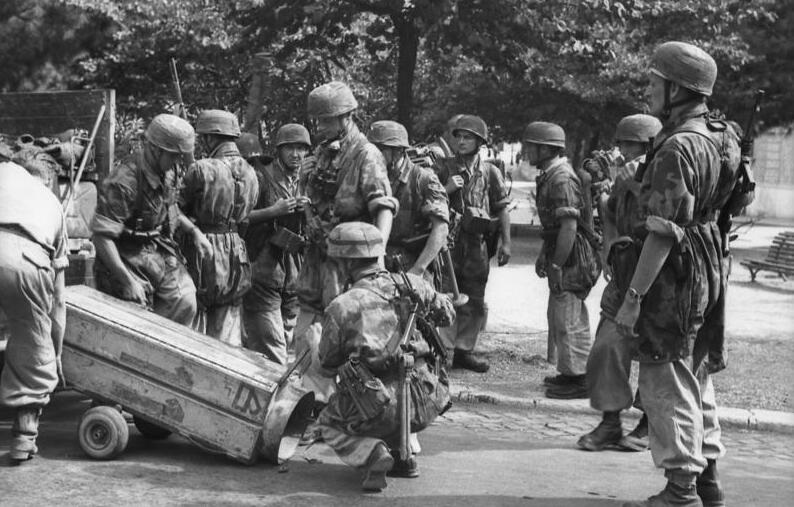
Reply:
x=269 y=316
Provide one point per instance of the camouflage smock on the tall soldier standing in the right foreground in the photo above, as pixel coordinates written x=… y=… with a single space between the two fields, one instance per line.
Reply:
x=683 y=188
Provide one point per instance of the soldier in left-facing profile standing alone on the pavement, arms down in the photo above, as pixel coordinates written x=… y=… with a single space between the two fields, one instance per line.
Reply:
x=568 y=257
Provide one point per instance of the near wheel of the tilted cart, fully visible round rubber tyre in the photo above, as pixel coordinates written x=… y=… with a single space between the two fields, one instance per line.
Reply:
x=103 y=432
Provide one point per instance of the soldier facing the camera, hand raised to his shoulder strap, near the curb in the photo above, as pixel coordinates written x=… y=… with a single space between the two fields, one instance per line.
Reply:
x=476 y=192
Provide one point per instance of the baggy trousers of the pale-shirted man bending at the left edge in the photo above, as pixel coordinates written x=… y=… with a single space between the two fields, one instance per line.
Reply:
x=27 y=282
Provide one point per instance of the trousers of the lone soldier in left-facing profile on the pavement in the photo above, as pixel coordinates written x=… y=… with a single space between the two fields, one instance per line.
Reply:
x=569 y=330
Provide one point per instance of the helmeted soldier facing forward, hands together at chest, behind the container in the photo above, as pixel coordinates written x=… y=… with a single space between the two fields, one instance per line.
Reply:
x=270 y=308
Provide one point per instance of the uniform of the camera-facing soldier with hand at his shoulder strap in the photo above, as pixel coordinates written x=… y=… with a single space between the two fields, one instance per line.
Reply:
x=485 y=189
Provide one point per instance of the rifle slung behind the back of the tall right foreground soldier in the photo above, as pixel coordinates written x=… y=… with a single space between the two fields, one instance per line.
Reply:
x=743 y=192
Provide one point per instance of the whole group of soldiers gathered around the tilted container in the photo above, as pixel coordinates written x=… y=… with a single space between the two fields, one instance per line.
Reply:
x=320 y=250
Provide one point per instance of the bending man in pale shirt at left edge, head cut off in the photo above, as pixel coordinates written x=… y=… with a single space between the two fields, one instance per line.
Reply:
x=33 y=257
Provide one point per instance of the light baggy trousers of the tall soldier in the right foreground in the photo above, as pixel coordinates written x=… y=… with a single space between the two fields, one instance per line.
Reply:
x=683 y=427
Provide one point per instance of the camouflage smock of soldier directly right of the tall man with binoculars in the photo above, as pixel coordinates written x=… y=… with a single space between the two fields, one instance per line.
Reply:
x=421 y=197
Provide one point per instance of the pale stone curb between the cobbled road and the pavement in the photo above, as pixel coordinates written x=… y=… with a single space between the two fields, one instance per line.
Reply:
x=735 y=418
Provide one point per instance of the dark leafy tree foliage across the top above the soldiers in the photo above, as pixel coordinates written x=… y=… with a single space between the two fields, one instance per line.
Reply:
x=582 y=64
